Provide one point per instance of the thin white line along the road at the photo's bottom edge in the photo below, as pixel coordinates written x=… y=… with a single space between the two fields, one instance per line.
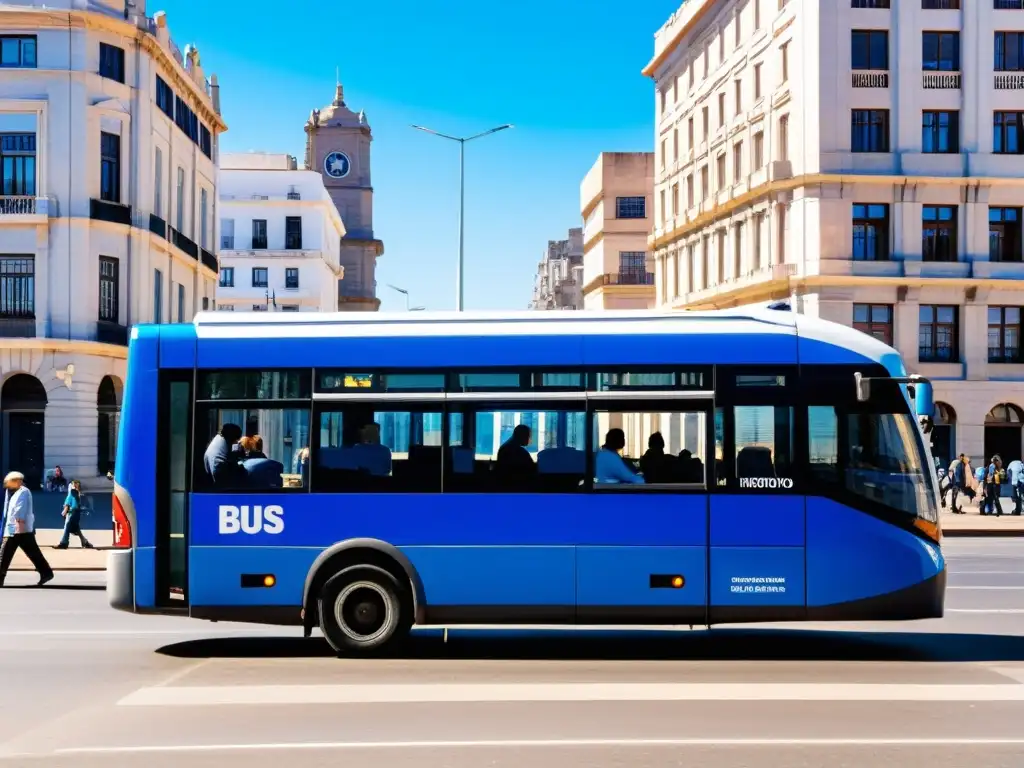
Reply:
x=550 y=744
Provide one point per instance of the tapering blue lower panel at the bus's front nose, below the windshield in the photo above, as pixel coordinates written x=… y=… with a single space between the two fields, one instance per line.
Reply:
x=851 y=556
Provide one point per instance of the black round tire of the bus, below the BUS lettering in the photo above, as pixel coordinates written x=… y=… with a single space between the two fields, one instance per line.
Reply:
x=362 y=611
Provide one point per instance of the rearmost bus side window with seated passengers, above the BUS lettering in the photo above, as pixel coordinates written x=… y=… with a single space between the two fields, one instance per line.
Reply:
x=248 y=449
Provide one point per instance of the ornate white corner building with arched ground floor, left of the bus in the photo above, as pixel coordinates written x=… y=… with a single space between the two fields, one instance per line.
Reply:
x=108 y=149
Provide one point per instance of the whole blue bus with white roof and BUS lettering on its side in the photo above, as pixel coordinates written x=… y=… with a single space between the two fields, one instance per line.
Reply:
x=364 y=474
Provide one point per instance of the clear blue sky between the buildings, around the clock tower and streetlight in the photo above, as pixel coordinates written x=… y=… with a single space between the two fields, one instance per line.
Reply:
x=567 y=73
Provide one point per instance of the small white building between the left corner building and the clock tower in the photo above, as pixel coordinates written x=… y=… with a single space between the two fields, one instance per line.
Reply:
x=280 y=237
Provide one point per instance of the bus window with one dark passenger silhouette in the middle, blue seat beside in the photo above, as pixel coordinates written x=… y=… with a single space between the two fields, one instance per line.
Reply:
x=517 y=451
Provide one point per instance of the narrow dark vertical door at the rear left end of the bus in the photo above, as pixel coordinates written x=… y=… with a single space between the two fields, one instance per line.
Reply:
x=174 y=443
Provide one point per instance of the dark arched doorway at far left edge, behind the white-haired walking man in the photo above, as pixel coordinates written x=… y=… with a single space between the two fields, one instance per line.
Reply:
x=23 y=401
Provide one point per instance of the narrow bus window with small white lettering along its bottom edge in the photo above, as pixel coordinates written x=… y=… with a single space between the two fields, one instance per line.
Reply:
x=754 y=448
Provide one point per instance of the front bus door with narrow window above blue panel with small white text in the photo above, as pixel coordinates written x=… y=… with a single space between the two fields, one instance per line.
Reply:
x=757 y=517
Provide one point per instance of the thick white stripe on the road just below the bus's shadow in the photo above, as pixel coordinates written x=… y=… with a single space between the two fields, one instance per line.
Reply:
x=237 y=696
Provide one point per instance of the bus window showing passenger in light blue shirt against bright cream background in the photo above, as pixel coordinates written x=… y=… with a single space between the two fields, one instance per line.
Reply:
x=650 y=449
